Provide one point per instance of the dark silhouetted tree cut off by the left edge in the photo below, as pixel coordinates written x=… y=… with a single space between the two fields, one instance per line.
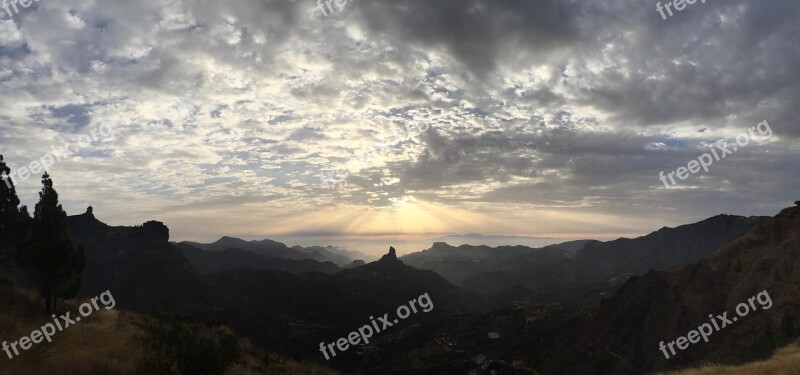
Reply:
x=14 y=220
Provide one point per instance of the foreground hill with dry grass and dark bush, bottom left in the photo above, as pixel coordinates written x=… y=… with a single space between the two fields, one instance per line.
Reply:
x=118 y=342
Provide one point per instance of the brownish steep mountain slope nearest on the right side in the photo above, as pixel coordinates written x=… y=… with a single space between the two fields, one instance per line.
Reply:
x=623 y=335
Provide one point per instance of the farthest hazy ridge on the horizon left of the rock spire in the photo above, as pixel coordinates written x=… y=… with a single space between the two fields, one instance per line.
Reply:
x=274 y=249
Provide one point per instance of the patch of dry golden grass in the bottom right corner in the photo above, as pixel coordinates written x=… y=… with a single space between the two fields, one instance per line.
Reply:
x=785 y=361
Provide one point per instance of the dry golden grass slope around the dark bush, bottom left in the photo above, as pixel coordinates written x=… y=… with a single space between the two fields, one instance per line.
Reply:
x=106 y=342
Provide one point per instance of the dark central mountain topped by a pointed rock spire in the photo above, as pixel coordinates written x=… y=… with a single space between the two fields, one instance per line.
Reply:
x=295 y=312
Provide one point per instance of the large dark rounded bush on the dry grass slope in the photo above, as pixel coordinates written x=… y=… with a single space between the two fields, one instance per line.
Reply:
x=174 y=346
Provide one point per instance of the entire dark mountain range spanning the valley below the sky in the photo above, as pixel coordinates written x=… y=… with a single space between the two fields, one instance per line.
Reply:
x=587 y=306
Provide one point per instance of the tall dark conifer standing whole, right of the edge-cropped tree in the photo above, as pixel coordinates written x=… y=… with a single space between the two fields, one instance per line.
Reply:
x=55 y=263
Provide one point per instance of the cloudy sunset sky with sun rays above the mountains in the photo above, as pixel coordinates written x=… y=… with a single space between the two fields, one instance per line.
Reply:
x=428 y=118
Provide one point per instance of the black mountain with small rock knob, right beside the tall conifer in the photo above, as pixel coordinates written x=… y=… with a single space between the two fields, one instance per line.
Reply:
x=144 y=271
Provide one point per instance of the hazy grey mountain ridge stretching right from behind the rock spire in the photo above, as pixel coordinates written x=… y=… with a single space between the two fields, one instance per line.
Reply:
x=579 y=270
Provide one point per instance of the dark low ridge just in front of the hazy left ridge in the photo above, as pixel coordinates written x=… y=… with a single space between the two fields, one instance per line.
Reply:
x=208 y=262
